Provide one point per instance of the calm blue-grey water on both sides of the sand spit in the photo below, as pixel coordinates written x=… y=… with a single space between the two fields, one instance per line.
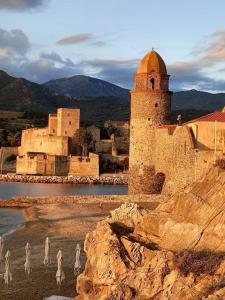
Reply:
x=10 y=219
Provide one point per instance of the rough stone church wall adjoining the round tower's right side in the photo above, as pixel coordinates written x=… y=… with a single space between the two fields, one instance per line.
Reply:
x=178 y=158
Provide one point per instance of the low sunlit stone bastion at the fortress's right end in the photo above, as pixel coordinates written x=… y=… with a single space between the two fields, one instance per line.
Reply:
x=84 y=166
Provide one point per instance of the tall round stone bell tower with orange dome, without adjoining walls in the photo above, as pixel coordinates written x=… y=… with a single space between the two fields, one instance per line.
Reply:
x=150 y=108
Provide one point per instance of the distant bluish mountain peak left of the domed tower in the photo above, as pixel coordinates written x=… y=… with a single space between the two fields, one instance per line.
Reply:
x=85 y=86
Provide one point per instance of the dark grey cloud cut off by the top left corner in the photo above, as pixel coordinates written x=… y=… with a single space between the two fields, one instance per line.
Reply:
x=21 y=4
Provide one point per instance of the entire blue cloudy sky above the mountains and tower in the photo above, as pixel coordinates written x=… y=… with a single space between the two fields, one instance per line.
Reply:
x=42 y=40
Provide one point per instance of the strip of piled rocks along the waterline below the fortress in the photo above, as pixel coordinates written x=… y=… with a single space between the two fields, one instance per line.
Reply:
x=103 y=179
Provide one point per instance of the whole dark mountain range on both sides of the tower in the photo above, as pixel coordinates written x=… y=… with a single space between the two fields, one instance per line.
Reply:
x=98 y=100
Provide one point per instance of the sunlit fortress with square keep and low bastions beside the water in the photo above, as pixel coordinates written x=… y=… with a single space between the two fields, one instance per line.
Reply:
x=46 y=151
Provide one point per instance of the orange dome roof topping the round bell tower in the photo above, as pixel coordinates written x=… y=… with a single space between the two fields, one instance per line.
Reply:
x=152 y=61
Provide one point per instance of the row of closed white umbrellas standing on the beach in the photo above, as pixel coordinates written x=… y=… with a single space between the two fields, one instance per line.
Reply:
x=5 y=262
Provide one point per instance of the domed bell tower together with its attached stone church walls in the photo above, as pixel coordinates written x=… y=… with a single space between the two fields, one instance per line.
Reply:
x=163 y=157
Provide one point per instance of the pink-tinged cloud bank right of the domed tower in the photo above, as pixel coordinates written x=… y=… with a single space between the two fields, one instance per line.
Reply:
x=198 y=73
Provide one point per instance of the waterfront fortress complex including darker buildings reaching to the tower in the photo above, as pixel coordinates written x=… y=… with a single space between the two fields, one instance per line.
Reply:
x=48 y=151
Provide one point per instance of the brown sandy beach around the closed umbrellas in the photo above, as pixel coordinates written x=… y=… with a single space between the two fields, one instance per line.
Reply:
x=66 y=224
